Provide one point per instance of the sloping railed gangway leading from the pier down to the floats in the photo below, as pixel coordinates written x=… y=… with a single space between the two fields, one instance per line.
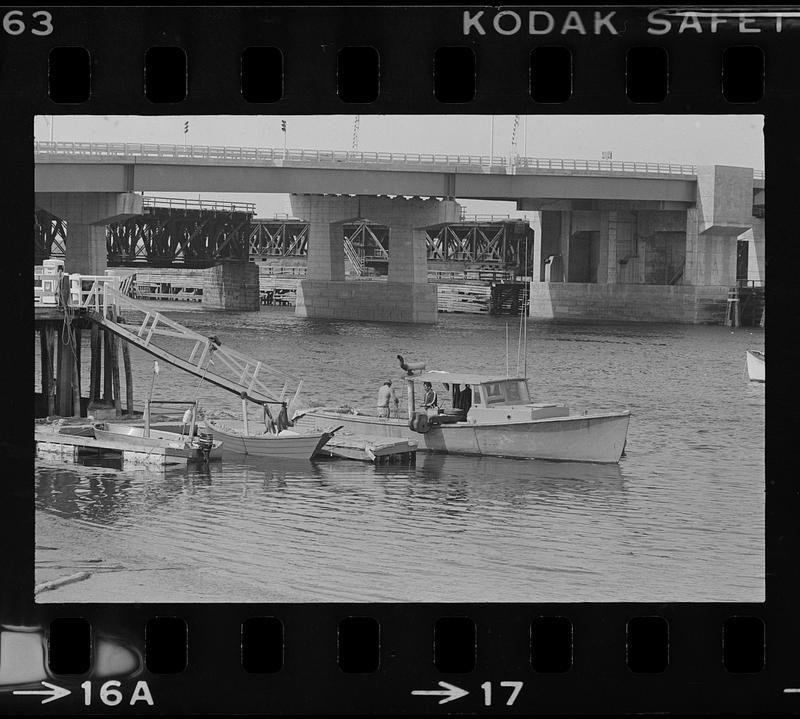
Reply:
x=171 y=342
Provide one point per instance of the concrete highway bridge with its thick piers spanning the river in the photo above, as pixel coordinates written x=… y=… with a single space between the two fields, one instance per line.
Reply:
x=604 y=225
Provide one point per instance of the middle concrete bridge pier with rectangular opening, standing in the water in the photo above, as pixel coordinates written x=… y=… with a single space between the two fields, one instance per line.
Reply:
x=406 y=296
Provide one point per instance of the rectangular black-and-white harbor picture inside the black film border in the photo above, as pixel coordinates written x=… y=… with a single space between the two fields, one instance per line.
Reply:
x=399 y=358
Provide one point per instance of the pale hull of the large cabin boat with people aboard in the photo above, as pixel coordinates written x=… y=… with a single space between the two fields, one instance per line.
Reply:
x=579 y=438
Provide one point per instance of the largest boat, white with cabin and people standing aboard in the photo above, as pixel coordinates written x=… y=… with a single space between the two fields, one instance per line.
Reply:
x=499 y=419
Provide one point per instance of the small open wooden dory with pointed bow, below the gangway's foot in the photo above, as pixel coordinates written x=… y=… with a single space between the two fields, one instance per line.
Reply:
x=287 y=444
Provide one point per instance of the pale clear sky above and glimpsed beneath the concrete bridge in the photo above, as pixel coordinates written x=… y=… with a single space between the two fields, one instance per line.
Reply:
x=678 y=139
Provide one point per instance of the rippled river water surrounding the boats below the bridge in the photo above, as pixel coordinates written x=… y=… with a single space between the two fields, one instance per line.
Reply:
x=681 y=518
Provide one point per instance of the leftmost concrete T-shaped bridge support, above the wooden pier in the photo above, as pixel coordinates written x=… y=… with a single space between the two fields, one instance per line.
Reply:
x=86 y=215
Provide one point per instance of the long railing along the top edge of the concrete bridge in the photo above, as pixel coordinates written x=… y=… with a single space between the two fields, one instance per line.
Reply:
x=509 y=165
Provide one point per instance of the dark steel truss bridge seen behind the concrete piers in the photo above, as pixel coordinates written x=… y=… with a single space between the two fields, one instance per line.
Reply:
x=201 y=233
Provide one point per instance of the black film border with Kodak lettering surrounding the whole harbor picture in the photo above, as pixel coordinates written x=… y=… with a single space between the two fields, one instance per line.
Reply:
x=385 y=60
